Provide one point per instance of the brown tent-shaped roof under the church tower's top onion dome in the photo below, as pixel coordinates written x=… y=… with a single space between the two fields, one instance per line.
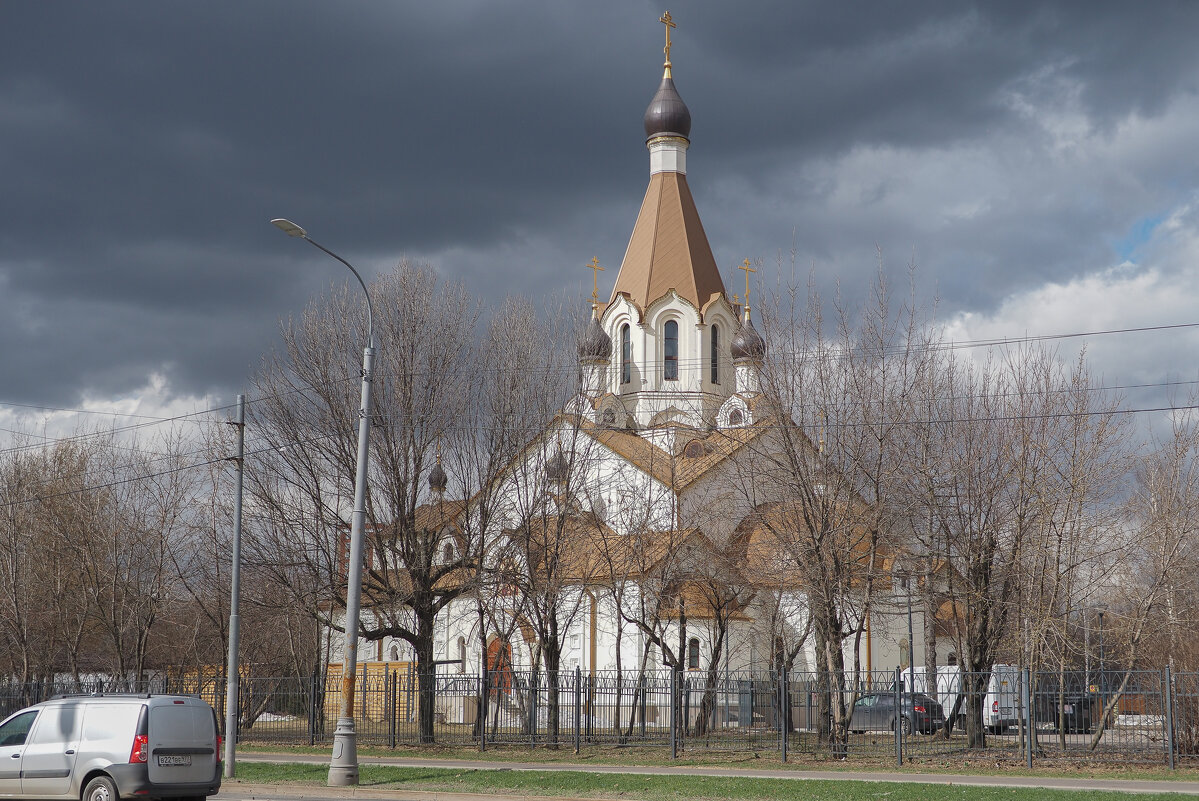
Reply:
x=668 y=249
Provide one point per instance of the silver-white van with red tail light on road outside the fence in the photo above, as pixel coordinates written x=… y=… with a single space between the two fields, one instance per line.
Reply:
x=101 y=748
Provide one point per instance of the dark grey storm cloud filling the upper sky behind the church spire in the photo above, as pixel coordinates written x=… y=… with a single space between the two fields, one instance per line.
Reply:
x=144 y=146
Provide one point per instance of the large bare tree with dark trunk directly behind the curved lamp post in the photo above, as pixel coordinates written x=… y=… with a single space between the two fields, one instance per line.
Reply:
x=306 y=418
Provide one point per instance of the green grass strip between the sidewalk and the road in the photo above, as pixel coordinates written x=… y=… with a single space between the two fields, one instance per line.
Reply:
x=660 y=788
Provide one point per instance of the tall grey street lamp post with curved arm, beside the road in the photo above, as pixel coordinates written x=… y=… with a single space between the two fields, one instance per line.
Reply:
x=344 y=768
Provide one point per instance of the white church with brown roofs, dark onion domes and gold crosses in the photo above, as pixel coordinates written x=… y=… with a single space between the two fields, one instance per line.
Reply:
x=631 y=519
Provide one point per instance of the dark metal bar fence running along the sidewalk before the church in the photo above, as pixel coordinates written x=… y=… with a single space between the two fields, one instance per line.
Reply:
x=1119 y=718
